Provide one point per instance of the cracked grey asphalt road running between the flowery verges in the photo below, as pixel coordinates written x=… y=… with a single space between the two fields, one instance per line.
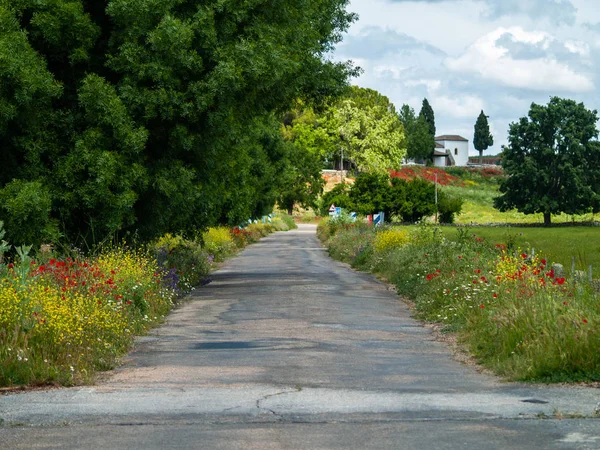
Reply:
x=287 y=349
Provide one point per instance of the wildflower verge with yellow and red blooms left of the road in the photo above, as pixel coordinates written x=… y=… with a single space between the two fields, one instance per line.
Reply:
x=64 y=319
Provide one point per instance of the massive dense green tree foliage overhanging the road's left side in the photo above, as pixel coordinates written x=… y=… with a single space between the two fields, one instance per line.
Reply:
x=153 y=115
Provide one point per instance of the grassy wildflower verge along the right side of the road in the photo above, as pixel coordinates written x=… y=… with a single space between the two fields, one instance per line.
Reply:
x=516 y=314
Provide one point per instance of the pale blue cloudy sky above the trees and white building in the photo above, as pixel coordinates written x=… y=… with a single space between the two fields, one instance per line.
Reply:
x=465 y=56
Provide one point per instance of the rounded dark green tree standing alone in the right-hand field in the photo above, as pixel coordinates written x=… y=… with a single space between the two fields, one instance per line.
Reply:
x=552 y=161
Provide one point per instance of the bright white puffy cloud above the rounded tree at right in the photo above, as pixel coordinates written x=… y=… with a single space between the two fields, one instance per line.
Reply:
x=493 y=62
